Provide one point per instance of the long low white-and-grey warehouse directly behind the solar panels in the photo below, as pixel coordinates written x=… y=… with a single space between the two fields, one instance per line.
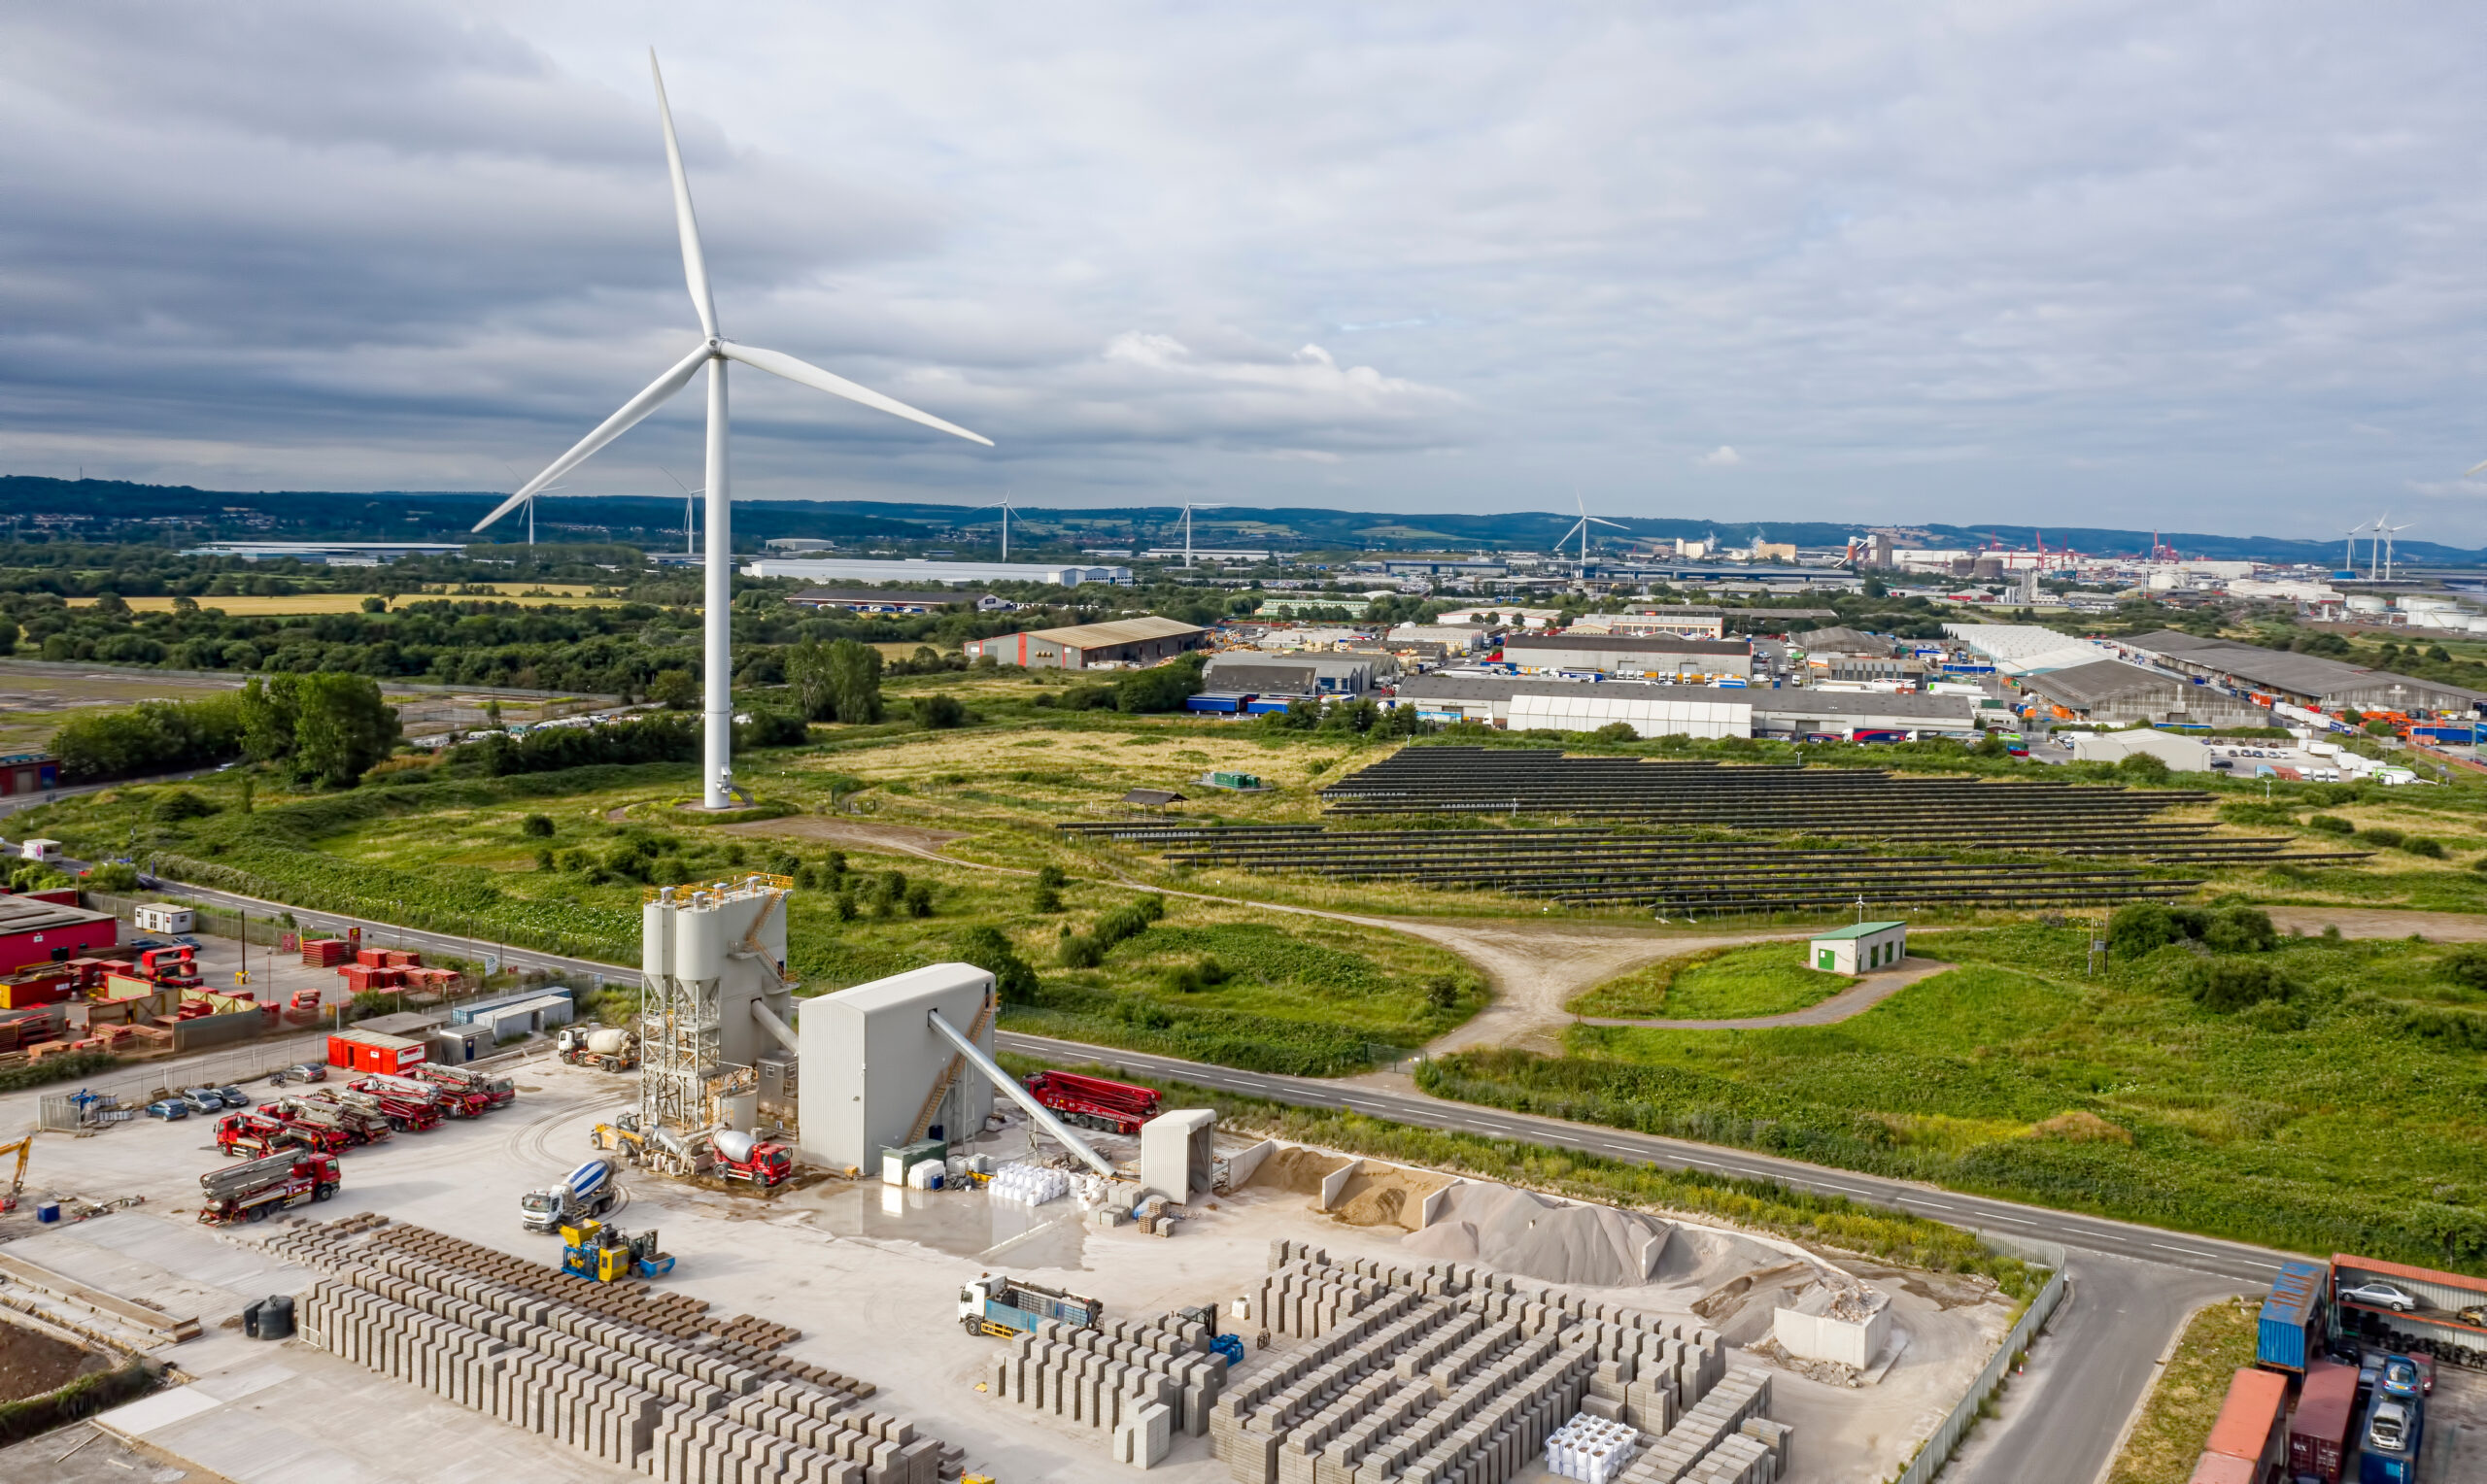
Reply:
x=1650 y=710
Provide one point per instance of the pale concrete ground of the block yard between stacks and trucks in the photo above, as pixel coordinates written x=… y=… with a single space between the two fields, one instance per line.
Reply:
x=869 y=1276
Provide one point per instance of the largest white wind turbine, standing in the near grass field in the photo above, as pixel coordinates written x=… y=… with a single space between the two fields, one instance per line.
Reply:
x=713 y=354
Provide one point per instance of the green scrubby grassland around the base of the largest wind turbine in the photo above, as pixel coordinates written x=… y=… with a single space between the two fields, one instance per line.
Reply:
x=1297 y=996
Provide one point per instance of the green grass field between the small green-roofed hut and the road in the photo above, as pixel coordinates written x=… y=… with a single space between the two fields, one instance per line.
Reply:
x=2344 y=1117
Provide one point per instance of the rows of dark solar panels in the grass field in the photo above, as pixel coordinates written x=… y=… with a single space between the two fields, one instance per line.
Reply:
x=1655 y=851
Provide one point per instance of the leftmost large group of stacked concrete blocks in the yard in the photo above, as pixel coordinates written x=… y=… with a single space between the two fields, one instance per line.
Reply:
x=613 y=1376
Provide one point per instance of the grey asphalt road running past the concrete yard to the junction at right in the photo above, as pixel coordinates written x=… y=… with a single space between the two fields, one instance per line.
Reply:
x=2130 y=1286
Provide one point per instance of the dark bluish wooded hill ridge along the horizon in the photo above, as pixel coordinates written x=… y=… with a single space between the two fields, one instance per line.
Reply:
x=123 y=511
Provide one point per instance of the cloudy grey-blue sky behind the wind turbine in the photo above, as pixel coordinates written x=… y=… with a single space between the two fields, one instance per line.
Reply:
x=2207 y=267
